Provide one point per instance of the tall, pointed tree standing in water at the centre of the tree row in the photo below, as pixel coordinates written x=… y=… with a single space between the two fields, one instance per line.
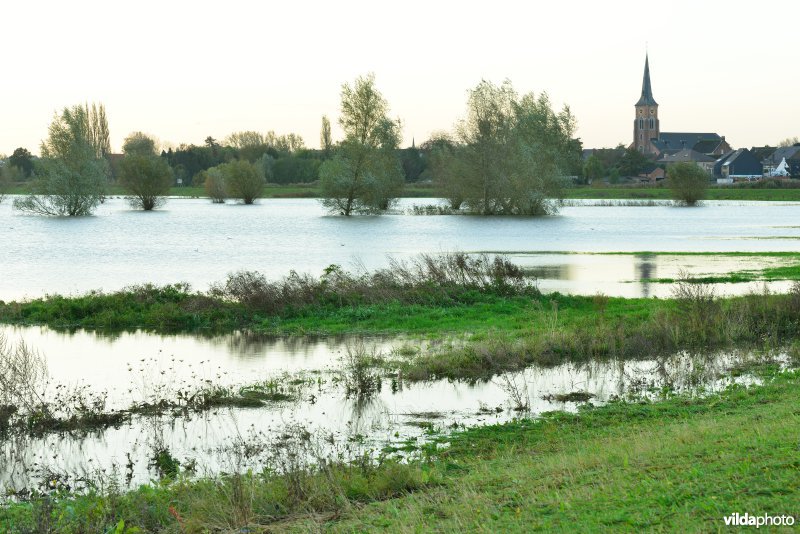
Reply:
x=365 y=175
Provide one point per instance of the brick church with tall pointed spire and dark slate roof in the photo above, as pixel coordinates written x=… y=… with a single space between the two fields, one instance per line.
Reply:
x=666 y=147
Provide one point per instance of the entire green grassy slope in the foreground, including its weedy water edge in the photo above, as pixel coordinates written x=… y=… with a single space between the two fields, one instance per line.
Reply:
x=678 y=464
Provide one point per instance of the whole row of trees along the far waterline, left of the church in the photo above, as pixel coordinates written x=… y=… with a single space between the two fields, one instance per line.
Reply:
x=511 y=154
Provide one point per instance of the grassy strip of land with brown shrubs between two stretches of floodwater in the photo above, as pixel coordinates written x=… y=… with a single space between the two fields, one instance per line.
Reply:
x=496 y=329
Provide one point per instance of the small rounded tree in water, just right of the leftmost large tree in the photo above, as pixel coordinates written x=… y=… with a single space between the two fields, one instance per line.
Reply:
x=146 y=176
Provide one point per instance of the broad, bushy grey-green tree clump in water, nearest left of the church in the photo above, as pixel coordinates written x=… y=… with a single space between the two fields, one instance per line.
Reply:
x=511 y=153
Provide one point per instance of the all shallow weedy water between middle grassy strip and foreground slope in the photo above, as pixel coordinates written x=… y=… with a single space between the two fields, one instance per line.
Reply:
x=129 y=368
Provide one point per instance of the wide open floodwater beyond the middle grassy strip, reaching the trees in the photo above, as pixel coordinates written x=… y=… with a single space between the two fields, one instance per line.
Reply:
x=195 y=241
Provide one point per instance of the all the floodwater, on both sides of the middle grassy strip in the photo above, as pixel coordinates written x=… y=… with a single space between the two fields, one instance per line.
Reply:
x=194 y=241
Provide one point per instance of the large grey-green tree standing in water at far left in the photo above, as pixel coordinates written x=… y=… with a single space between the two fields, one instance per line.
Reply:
x=70 y=177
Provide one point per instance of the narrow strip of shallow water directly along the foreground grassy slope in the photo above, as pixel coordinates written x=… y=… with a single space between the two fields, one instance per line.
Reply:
x=398 y=412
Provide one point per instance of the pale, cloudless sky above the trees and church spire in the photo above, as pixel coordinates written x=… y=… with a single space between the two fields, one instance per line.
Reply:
x=185 y=70
